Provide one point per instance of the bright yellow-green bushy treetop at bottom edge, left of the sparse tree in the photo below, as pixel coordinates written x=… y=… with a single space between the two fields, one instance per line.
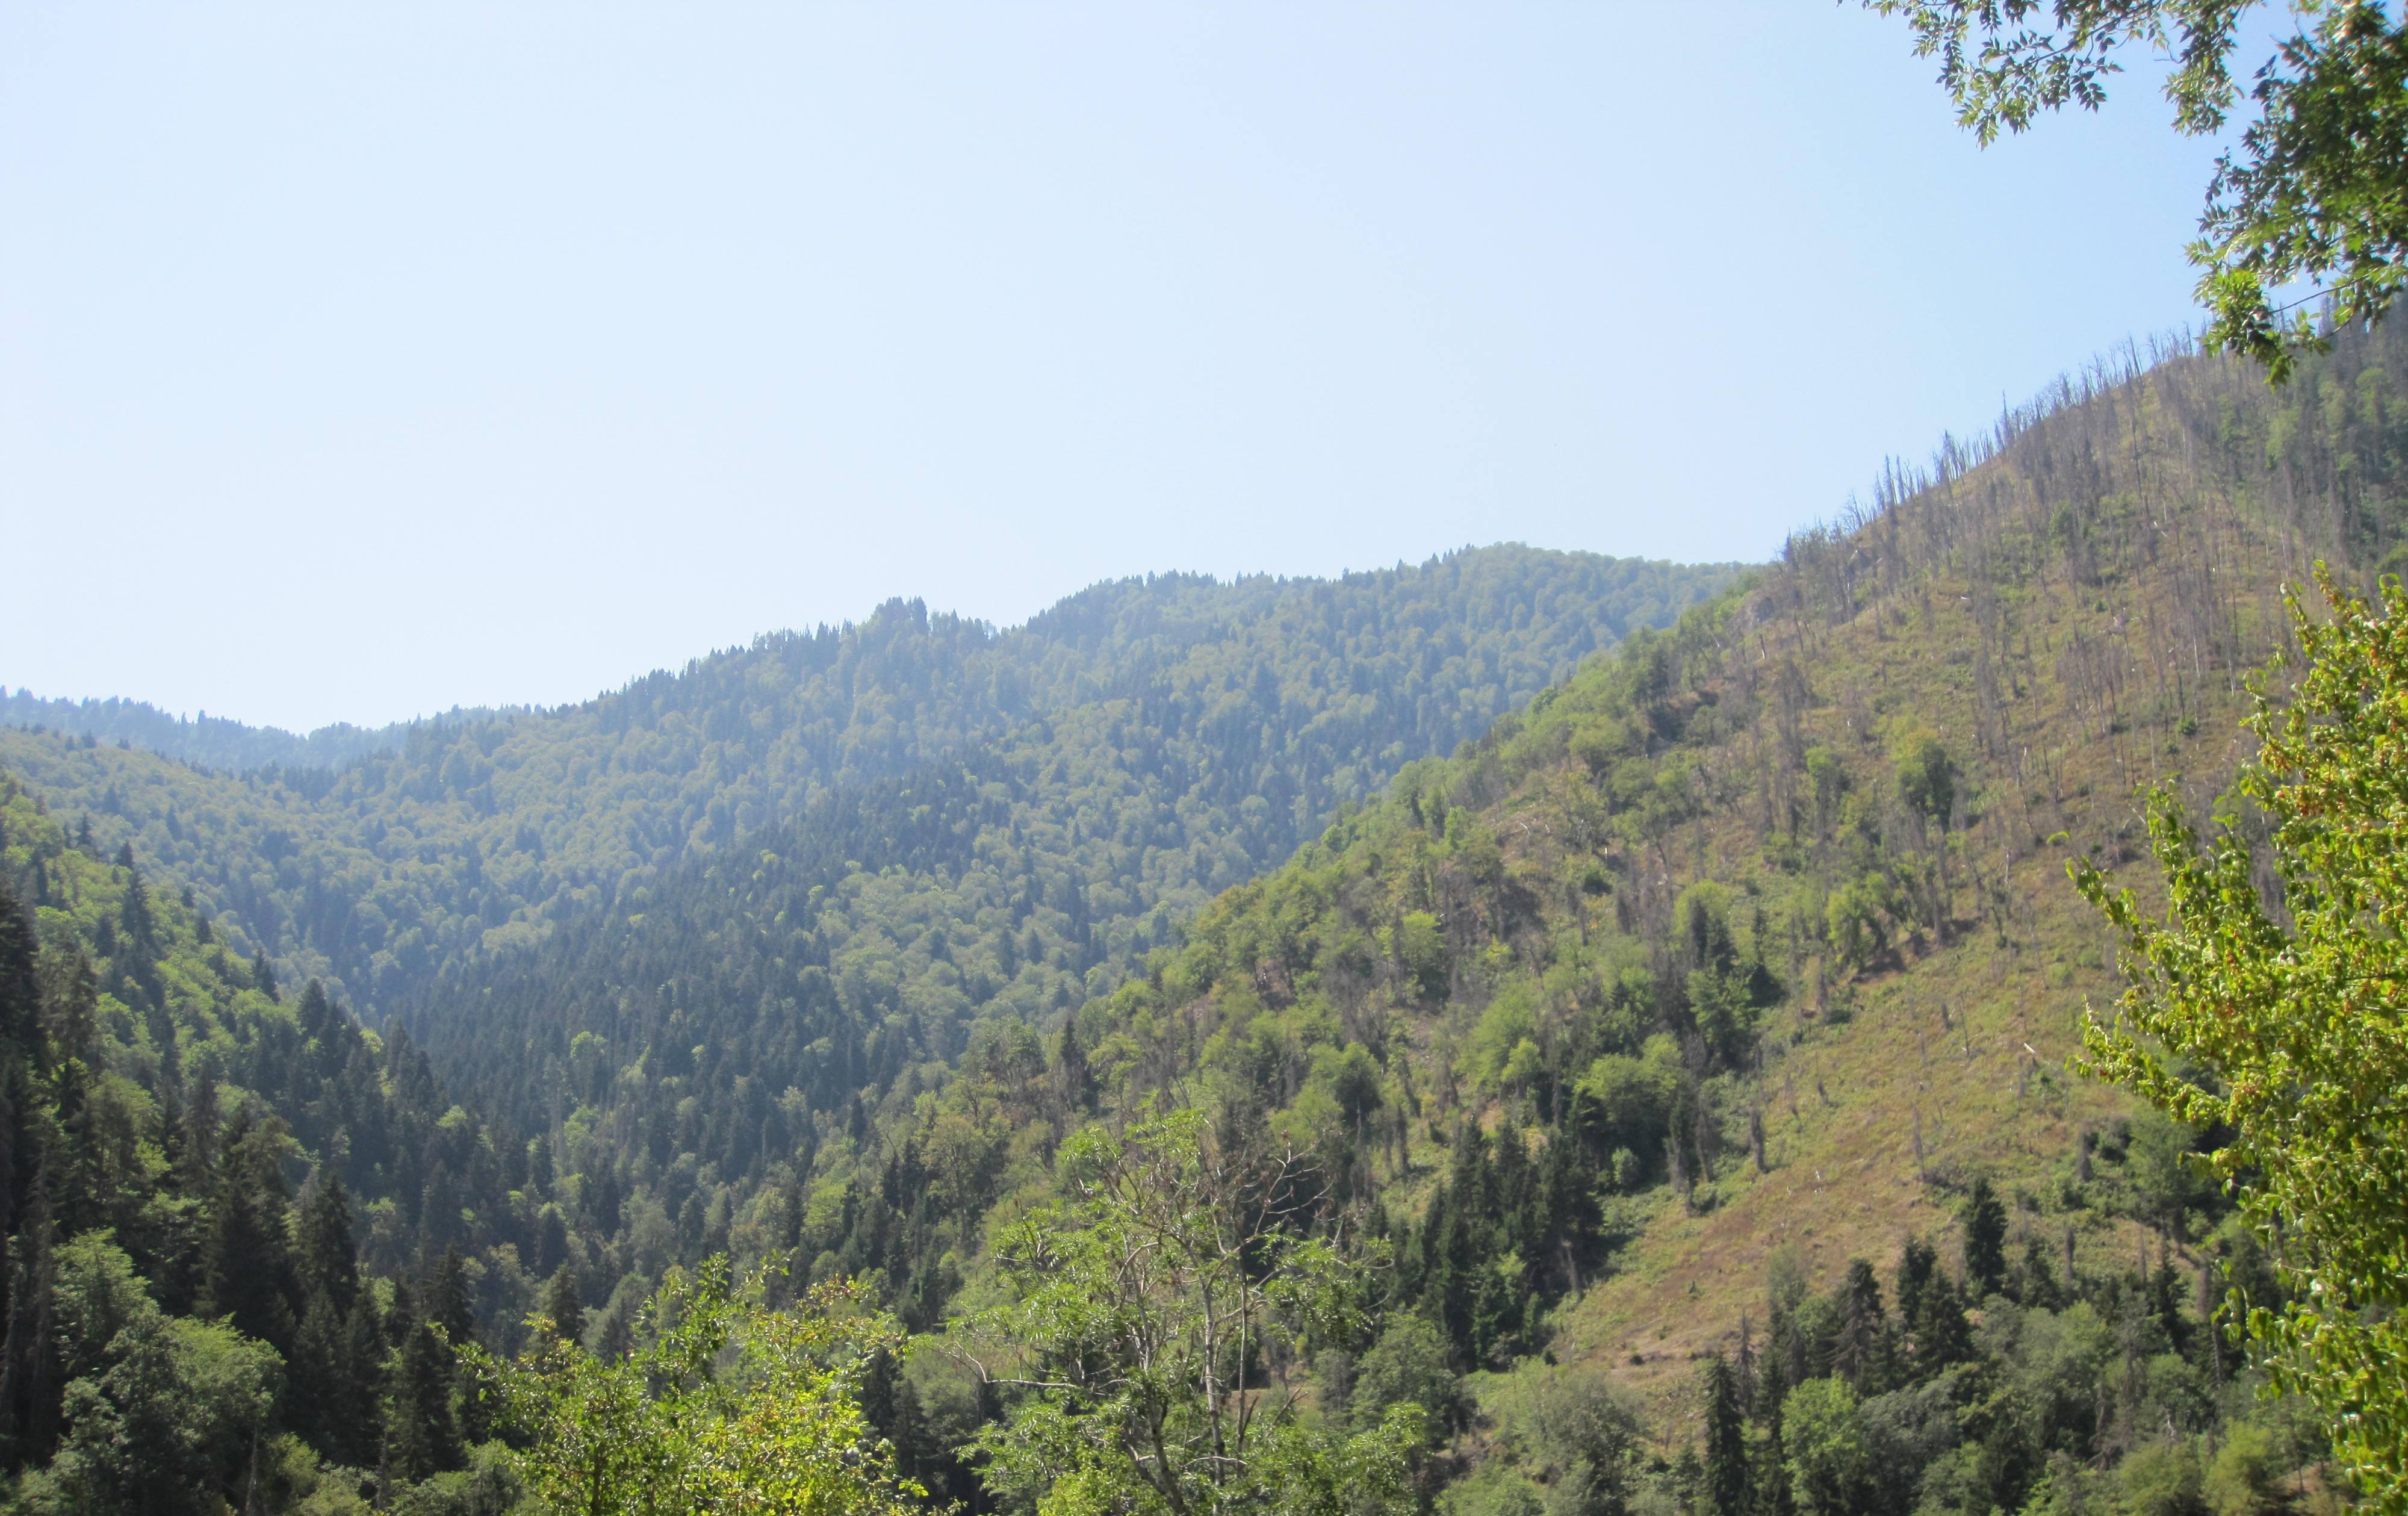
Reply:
x=728 y=1407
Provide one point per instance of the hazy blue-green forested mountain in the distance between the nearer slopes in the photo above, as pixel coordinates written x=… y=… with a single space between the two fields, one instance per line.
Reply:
x=938 y=827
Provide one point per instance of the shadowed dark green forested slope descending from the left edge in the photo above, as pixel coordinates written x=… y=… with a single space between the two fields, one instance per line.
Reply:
x=194 y=1176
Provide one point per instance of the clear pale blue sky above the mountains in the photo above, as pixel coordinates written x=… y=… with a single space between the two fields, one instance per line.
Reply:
x=365 y=360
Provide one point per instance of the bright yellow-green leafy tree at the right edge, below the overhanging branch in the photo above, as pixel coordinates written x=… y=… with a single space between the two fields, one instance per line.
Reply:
x=2301 y=1017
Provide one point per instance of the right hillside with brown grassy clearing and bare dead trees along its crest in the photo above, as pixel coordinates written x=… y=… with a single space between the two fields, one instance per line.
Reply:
x=1742 y=959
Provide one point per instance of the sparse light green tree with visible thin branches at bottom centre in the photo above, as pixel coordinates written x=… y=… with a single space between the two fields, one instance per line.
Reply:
x=1152 y=1330
